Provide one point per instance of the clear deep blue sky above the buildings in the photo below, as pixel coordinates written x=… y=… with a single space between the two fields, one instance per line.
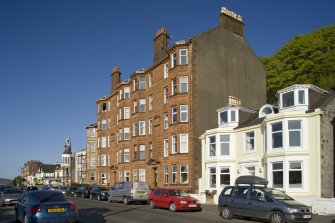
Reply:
x=56 y=57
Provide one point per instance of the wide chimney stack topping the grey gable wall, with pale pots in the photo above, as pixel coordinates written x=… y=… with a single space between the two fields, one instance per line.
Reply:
x=231 y=21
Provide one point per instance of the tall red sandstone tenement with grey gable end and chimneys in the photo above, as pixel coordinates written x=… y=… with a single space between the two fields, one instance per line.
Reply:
x=148 y=127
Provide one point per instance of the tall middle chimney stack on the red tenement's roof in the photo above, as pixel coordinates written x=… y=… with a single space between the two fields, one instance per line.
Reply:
x=160 y=45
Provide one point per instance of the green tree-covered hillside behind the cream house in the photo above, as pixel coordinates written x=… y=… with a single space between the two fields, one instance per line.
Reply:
x=307 y=59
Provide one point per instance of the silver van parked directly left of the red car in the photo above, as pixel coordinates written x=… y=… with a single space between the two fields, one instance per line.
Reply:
x=129 y=192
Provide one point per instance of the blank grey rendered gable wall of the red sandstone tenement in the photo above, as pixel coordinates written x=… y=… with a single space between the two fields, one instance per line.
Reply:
x=223 y=64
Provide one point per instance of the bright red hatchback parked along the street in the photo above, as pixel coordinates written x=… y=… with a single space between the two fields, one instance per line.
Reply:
x=173 y=199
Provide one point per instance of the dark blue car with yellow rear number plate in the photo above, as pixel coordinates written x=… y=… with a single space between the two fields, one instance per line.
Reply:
x=45 y=206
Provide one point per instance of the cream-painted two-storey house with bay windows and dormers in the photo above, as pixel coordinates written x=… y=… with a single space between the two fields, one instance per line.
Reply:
x=281 y=144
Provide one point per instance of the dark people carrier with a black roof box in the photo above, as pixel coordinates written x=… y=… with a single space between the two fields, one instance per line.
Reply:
x=250 y=197
